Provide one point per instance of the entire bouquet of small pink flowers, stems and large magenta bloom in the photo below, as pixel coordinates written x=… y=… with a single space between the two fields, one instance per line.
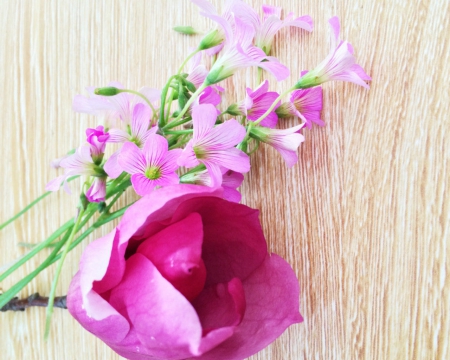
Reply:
x=186 y=273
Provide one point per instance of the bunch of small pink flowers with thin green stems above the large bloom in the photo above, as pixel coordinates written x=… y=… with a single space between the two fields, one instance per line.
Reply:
x=199 y=141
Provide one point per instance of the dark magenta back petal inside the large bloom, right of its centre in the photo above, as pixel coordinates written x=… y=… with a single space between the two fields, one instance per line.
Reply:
x=233 y=242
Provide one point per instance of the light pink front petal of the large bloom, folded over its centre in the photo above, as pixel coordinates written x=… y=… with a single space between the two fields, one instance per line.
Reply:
x=165 y=322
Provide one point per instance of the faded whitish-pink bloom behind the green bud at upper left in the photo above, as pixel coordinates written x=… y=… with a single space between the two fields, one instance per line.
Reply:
x=119 y=106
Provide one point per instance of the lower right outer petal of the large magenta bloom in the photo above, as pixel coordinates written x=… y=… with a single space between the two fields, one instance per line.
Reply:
x=272 y=296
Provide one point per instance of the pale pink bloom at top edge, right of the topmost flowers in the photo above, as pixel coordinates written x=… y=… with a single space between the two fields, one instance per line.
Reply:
x=267 y=27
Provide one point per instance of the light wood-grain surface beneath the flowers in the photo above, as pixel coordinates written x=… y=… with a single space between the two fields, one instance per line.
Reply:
x=363 y=218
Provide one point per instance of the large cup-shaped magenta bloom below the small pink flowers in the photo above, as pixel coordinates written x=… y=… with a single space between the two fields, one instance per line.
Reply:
x=186 y=274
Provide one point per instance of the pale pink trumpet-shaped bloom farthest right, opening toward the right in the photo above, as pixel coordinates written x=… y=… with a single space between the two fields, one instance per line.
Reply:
x=340 y=64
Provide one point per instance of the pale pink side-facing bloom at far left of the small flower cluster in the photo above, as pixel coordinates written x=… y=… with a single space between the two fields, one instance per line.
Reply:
x=81 y=163
